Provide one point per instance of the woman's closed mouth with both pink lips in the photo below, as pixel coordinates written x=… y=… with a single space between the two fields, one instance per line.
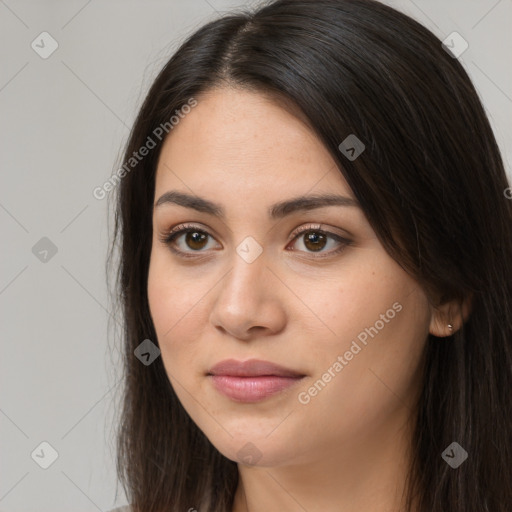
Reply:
x=253 y=380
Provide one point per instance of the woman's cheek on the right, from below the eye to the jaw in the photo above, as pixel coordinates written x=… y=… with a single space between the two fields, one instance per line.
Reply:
x=378 y=322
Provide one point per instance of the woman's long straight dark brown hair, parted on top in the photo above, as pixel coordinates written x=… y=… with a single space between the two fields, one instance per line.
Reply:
x=431 y=182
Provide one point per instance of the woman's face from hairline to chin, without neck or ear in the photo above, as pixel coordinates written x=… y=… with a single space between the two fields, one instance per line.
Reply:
x=306 y=286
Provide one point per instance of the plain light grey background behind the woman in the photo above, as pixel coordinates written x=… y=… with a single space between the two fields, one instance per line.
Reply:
x=64 y=120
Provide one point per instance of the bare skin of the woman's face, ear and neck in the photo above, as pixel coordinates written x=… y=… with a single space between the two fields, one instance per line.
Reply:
x=346 y=449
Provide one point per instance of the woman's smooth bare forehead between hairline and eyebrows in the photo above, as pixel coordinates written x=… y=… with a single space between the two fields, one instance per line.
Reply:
x=246 y=143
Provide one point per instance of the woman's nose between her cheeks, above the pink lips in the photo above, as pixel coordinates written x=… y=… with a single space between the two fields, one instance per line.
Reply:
x=249 y=302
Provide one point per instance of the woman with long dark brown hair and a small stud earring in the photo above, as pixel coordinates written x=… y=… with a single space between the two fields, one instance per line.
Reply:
x=315 y=273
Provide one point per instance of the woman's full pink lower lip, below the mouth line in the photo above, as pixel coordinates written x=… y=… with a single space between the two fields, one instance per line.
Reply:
x=252 y=389
